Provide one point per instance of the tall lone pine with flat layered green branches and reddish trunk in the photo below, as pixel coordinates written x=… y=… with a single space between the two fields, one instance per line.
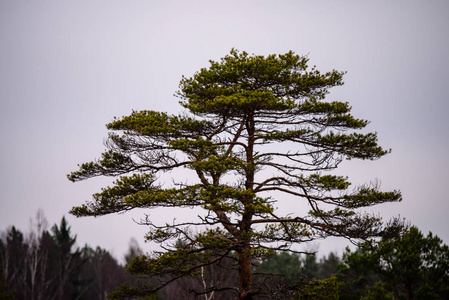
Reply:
x=254 y=129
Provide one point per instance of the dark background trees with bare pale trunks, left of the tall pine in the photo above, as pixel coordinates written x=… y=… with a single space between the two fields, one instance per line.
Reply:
x=46 y=264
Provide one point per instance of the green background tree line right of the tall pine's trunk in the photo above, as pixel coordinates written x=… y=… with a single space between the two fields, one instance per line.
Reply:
x=412 y=266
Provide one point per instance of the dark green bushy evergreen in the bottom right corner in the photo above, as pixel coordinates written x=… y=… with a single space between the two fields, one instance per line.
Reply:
x=410 y=267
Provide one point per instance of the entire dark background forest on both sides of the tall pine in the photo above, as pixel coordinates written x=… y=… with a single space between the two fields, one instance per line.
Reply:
x=47 y=264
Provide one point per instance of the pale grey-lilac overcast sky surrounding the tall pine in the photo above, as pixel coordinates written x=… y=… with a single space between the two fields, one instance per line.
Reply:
x=68 y=67
